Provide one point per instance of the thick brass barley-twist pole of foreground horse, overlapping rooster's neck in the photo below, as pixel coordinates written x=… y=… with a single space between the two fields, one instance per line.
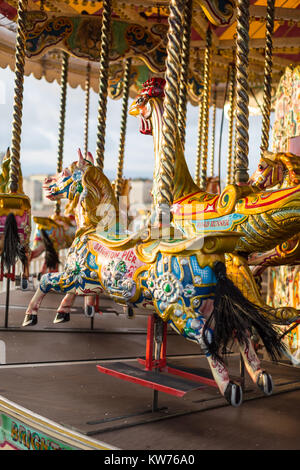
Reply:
x=165 y=178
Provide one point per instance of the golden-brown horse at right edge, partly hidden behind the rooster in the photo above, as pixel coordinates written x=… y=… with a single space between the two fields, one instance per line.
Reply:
x=281 y=170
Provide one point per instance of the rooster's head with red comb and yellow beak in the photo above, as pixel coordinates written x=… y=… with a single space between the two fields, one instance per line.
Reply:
x=142 y=105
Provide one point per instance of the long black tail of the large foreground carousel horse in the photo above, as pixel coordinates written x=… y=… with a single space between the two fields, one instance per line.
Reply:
x=235 y=317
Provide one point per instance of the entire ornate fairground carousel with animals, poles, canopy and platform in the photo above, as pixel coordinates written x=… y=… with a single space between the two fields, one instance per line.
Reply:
x=211 y=271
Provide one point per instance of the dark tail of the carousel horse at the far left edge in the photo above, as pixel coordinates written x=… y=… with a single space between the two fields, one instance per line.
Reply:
x=12 y=247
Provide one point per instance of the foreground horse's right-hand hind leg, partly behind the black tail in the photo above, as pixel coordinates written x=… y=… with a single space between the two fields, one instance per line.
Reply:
x=252 y=363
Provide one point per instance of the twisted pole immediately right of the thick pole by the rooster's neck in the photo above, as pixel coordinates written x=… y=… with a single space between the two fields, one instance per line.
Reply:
x=184 y=70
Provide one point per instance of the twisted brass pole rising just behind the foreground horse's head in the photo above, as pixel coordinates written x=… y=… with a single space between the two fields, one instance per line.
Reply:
x=103 y=81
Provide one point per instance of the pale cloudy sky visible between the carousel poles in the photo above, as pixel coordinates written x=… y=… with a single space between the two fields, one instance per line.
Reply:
x=39 y=139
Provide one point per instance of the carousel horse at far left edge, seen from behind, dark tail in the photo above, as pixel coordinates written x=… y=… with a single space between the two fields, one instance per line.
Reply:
x=15 y=224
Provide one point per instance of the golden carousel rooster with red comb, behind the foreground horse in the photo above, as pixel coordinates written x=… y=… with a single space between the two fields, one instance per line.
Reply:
x=263 y=218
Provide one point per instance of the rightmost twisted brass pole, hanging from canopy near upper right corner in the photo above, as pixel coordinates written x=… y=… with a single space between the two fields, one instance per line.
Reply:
x=267 y=75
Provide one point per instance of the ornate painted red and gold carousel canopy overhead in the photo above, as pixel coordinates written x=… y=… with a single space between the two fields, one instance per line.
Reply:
x=139 y=31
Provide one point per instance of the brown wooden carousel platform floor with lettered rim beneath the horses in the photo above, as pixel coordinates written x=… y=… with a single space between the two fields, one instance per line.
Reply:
x=53 y=395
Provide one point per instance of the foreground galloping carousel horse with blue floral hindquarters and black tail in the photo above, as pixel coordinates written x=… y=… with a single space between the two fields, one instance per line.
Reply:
x=183 y=281
